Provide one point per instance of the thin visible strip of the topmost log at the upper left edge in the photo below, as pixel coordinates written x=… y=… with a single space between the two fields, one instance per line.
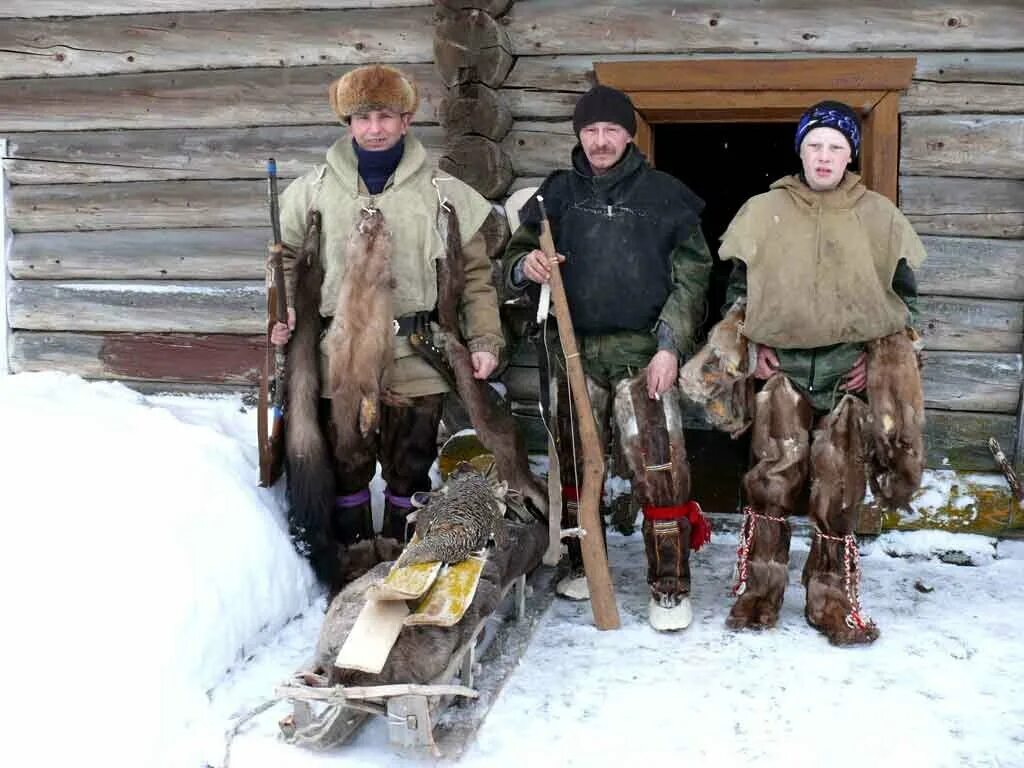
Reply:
x=38 y=9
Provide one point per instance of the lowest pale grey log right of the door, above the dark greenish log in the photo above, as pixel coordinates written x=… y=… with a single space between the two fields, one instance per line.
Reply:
x=968 y=381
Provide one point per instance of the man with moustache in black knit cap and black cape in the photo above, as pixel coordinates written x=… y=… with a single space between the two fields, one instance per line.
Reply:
x=636 y=270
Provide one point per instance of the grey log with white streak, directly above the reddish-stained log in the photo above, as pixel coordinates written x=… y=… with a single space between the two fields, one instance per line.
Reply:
x=203 y=308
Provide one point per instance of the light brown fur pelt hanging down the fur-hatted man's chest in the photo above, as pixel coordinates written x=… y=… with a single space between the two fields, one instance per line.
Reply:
x=361 y=340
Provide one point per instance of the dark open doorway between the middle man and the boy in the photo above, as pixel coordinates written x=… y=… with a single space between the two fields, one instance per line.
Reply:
x=726 y=164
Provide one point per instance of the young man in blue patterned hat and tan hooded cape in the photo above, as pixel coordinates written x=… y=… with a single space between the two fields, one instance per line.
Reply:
x=826 y=269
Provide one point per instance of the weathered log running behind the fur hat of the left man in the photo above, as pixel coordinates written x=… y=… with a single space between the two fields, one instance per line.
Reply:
x=217 y=99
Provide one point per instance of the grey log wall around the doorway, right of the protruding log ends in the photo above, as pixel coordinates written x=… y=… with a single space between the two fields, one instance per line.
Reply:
x=962 y=158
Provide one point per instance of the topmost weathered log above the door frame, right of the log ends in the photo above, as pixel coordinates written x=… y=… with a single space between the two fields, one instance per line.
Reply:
x=668 y=26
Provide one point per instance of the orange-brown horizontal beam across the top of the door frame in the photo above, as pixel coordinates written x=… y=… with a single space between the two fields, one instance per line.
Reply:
x=757 y=75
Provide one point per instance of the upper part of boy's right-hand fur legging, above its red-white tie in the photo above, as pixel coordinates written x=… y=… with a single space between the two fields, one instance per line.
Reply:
x=838 y=468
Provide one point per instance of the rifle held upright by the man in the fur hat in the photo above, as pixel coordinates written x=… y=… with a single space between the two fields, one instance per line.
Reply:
x=271 y=415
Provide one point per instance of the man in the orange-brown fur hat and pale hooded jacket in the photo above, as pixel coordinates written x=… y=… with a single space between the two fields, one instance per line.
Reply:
x=385 y=207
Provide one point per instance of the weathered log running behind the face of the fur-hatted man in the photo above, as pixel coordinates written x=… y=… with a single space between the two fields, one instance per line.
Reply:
x=65 y=157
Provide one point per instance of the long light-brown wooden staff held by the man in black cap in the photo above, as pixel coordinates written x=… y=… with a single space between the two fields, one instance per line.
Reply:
x=595 y=562
